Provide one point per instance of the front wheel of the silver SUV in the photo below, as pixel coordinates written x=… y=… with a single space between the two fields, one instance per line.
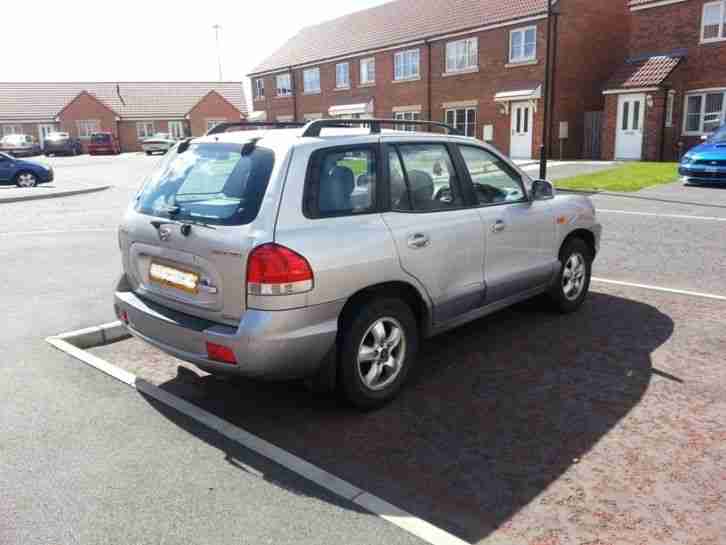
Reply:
x=573 y=279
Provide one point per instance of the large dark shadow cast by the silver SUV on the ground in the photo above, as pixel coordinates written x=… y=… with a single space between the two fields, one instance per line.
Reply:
x=495 y=412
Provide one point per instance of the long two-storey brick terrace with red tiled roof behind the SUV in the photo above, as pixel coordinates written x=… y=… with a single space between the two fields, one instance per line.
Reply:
x=476 y=64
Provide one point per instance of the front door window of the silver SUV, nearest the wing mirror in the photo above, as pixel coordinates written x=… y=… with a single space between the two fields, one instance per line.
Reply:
x=494 y=181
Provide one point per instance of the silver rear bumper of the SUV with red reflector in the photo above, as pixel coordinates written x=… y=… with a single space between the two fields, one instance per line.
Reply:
x=274 y=345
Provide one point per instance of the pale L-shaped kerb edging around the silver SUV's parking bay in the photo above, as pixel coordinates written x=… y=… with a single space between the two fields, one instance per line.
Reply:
x=74 y=343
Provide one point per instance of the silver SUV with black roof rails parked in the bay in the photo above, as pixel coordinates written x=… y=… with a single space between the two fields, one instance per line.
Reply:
x=329 y=252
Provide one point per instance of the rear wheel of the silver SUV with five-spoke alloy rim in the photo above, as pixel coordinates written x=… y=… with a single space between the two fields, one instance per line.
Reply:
x=386 y=331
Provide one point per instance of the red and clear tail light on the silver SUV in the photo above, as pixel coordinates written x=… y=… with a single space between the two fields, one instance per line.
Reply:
x=275 y=270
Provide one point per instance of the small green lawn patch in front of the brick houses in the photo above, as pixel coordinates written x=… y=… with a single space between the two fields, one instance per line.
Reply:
x=630 y=177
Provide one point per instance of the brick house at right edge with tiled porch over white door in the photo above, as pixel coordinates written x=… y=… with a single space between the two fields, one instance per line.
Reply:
x=671 y=89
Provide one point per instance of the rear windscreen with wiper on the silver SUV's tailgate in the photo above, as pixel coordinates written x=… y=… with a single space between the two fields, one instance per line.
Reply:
x=209 y=183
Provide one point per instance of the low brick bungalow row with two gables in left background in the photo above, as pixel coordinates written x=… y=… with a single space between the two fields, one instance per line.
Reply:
x=132 y=111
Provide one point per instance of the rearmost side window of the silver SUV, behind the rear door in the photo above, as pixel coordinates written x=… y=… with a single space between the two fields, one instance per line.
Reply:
x=342 y=182
